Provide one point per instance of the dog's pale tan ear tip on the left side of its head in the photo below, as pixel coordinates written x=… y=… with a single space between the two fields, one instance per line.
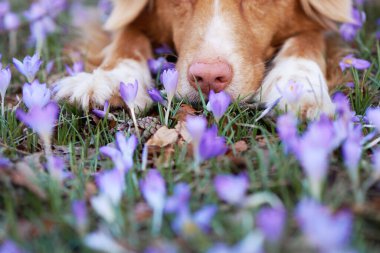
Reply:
x=123 y=13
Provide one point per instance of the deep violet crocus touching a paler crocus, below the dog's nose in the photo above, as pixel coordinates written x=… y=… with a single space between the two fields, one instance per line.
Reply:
x=211 y=145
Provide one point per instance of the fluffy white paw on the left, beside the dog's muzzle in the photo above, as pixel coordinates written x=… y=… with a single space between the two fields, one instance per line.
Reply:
x=94 y=89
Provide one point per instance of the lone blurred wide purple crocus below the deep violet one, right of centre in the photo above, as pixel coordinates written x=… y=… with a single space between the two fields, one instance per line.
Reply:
x=231 y=189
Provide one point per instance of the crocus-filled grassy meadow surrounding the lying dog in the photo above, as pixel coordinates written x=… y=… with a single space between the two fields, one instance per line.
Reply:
x=251 y=180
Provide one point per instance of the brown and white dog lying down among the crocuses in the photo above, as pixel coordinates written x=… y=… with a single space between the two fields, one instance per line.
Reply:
x=248 y=48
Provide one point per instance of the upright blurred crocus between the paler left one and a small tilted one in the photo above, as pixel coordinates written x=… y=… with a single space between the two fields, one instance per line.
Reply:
x=154 y=190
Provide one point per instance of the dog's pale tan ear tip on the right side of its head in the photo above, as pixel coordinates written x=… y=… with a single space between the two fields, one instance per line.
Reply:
x=327 y=12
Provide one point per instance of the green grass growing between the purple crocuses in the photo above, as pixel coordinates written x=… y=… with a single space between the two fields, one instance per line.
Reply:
x=35 y=211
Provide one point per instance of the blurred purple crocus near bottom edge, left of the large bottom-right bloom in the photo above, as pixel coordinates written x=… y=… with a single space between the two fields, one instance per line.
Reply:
x=271 y=222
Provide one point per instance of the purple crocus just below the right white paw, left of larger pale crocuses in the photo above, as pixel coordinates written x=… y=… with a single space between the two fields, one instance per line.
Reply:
x=287 y=131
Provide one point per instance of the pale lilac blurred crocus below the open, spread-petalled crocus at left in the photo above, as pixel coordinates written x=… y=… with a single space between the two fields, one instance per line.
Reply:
x=111 y=183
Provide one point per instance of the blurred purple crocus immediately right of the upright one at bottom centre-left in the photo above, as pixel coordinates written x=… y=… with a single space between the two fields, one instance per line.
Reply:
x=179 y=199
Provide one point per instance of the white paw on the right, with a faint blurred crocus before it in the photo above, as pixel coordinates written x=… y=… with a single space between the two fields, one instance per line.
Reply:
x=301 y=86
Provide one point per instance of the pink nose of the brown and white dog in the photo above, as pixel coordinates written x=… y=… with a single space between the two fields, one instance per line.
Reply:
x=208 y=76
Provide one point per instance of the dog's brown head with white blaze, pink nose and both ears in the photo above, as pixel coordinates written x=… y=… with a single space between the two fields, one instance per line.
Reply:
x=225 y=44
